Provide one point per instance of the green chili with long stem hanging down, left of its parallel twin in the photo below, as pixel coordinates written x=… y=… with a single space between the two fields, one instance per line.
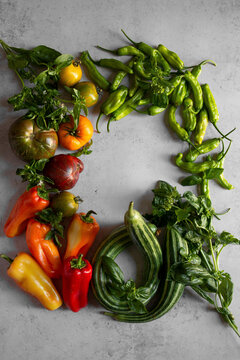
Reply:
x=113 y=102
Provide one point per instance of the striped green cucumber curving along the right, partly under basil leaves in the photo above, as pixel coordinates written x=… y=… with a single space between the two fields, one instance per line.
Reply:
x=171 y=290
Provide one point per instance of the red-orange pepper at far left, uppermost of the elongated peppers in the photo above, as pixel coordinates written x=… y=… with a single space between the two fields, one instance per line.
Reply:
x=25 y=208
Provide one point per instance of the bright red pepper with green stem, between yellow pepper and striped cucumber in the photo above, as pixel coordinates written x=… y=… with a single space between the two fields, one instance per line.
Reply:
x=77 y=274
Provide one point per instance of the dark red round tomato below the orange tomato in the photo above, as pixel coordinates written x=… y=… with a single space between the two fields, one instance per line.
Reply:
x=64 y=170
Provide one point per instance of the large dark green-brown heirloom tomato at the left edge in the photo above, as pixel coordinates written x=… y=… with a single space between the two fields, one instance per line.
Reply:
x=29 y=142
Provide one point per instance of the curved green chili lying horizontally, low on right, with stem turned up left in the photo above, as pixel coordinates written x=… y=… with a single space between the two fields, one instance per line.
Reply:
x=195 y=168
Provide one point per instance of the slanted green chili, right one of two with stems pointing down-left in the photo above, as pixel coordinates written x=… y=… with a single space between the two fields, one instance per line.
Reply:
x=126 y=108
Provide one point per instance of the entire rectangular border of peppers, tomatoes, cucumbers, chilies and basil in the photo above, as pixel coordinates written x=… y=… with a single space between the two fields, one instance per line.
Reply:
x=153 y=80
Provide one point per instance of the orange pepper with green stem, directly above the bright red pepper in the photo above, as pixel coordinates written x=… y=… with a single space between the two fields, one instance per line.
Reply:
x=81 y=234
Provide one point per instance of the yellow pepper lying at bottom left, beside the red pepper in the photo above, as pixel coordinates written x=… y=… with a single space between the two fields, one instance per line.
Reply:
x=30 y=277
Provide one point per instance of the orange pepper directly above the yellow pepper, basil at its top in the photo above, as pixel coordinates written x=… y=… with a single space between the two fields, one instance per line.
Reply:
x=44 y=251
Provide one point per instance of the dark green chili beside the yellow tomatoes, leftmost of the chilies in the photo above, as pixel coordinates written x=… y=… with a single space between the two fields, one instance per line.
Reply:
x=93 y=72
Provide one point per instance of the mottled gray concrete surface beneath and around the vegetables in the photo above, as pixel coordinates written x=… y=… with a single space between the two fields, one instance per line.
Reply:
x=124 y=166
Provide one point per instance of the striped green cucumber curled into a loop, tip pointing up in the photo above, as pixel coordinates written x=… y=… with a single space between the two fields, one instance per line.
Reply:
x=115 y=243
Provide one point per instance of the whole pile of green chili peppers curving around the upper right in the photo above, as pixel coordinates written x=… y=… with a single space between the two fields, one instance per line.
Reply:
x=158 y=80
